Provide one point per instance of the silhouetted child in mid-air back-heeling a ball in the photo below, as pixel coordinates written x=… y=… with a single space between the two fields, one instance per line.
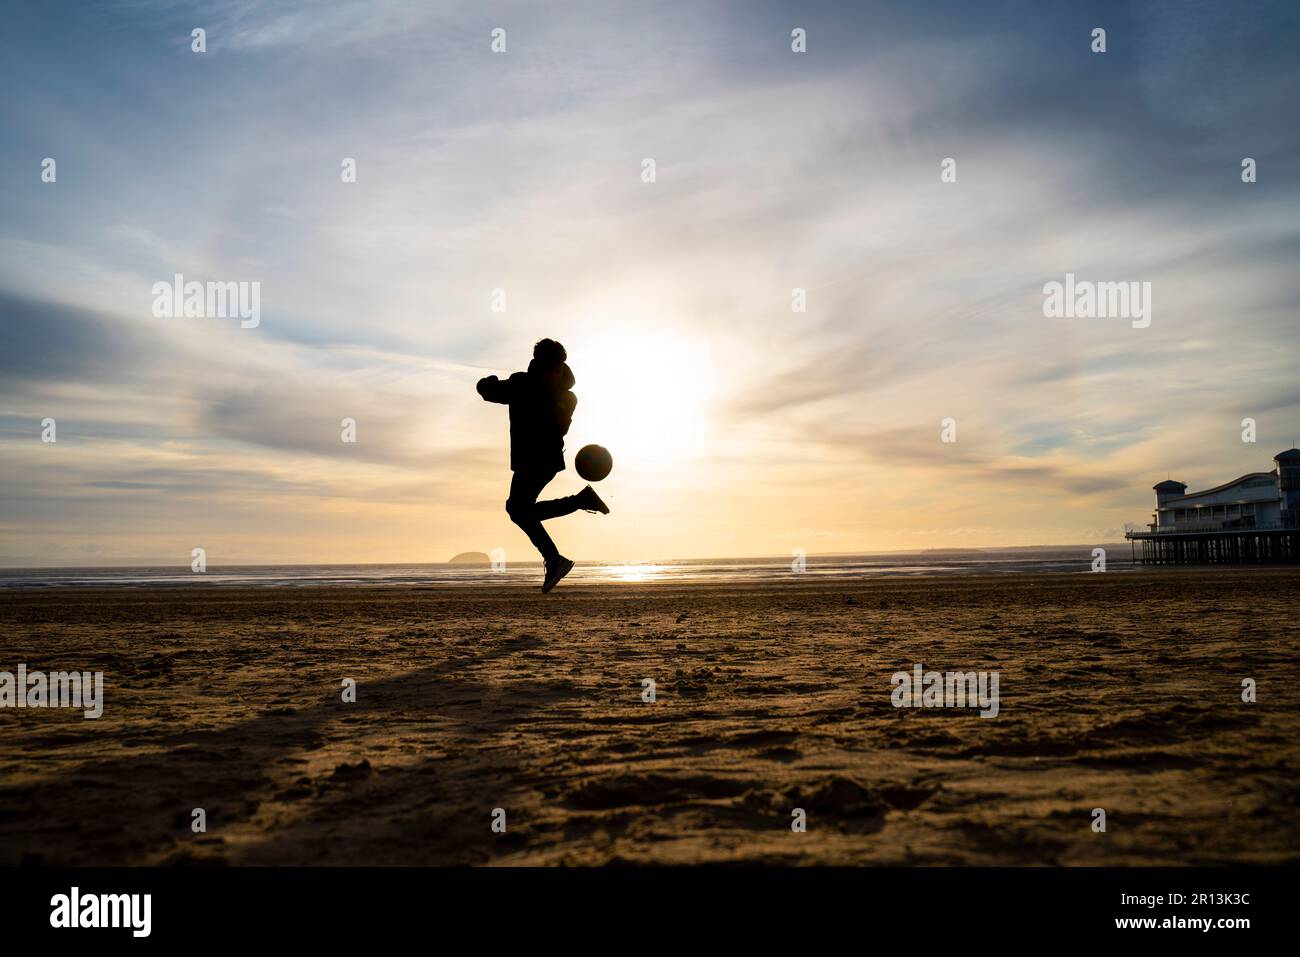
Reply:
x=541 y=408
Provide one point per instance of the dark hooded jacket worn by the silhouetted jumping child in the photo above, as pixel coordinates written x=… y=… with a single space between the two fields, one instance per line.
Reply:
x=541 y=408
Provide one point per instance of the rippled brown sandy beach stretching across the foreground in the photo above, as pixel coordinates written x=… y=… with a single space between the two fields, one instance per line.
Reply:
x=1119 y=691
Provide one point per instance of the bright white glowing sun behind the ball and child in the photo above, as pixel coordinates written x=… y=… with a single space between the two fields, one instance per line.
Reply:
x=644 y=395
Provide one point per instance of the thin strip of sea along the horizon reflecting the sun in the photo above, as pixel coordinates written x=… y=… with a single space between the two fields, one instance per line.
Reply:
x=1074 y=558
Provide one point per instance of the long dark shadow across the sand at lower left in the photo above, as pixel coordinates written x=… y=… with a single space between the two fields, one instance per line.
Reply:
x=265 y=807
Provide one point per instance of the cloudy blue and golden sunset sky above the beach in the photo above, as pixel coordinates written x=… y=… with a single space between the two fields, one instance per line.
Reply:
x=739 y=425
